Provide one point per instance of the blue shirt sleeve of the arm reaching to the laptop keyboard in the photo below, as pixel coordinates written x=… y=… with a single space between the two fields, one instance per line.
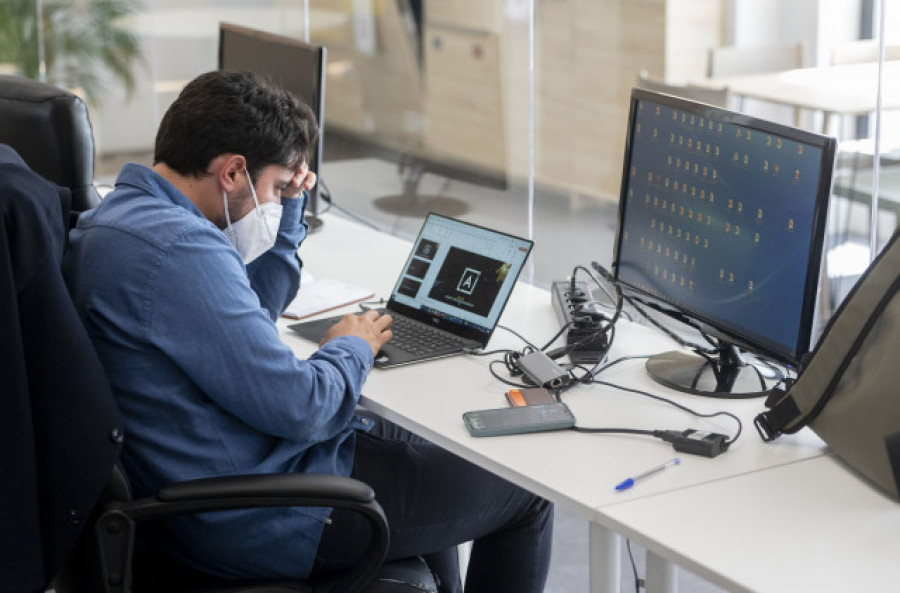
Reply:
x=204 y=315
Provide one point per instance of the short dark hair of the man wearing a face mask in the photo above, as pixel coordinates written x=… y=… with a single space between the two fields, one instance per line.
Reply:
x=235 y=112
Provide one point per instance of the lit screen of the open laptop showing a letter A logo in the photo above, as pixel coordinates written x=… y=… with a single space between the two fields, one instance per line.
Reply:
x=460 y=275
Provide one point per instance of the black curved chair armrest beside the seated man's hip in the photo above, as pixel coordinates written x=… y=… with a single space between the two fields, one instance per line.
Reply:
x=116 y=525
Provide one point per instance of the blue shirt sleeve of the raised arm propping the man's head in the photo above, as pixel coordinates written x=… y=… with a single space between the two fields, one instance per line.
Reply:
x=275 y=275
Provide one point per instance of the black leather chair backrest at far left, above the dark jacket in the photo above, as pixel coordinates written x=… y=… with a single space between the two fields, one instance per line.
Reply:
x=51 y=130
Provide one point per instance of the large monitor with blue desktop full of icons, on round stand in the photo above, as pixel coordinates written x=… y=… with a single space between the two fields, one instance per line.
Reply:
x=721 y=225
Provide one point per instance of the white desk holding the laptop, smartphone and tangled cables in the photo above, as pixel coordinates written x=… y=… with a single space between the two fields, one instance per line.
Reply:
x=575 y=470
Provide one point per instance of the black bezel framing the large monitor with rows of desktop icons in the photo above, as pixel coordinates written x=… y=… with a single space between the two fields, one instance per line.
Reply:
x=696 y=318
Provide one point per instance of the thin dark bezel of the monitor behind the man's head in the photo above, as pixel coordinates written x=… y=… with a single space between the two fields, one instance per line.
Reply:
x=315 y=195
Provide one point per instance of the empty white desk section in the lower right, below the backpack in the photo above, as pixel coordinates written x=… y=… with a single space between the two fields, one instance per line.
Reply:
x=808 y=526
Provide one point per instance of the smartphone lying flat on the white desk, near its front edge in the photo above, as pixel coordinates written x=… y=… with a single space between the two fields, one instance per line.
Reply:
x=500 y=421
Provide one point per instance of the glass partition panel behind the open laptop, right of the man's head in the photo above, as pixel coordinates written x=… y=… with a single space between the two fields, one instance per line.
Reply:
x=426 y=109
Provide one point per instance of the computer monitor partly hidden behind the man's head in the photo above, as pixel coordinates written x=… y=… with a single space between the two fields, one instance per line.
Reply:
x=297 y=66
